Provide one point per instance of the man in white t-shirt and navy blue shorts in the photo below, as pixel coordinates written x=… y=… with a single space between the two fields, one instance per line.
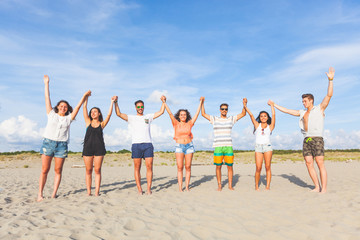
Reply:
x=142 y=146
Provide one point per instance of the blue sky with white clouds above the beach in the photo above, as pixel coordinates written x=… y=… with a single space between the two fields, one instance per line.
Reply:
x=223 y=50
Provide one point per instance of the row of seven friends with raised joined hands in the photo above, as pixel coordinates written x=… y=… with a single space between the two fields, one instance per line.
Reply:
x=56 y=138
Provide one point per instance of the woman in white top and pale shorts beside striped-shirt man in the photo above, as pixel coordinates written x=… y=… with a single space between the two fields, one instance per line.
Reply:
x=263 y=127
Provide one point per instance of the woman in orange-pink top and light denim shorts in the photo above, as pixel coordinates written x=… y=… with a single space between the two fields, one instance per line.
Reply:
x=182 y=123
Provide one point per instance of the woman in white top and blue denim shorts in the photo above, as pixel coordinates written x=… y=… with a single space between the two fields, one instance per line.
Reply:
x=56 y=137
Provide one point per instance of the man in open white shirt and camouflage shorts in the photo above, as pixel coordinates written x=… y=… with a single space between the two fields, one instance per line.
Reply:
x=312 y=127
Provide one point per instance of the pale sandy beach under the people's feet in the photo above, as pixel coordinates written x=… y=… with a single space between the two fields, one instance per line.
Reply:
x=288 y=211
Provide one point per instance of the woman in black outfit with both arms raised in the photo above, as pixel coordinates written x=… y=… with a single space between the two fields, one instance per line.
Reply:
x=94 y=146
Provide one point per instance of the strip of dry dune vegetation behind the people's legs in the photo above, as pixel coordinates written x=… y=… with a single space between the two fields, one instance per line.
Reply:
x=31 y=159
